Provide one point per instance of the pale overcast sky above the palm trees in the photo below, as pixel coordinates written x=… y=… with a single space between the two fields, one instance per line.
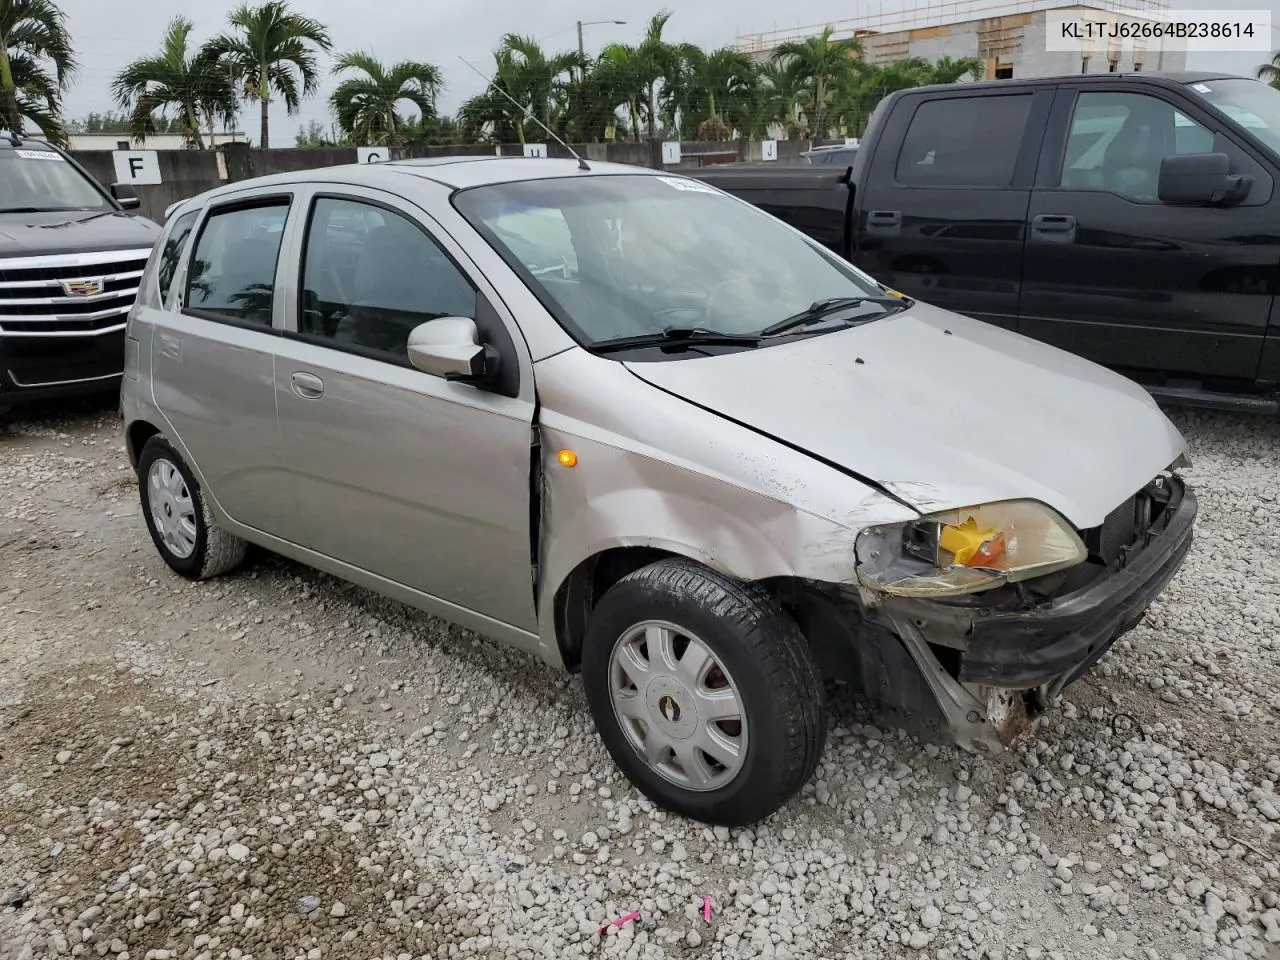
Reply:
x=442 y=31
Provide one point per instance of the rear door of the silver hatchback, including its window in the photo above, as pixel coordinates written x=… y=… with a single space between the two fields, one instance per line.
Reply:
x=213 y=359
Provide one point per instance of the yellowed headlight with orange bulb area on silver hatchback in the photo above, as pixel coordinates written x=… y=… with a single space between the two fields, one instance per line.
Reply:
x=966 y=551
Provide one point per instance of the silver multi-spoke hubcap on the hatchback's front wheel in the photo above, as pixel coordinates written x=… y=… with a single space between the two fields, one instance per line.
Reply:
x=678 y=706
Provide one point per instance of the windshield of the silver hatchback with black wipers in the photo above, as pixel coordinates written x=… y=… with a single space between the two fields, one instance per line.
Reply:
x=638 y=255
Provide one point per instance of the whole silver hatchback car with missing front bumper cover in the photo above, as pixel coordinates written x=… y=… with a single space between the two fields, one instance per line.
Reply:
x=642 y=429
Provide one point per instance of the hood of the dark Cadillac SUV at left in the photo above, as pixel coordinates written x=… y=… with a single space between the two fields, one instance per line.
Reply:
x=74 y=232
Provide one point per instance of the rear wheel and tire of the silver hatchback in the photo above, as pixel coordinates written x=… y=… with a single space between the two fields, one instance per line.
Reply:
x=205 y=550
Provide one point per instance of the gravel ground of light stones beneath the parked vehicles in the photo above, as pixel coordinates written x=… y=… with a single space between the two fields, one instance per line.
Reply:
x=280 y=766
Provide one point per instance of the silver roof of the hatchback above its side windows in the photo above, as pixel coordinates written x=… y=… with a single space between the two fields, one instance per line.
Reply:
x=454 y=172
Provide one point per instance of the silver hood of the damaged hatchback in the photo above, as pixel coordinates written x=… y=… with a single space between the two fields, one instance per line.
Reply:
x=944 y=412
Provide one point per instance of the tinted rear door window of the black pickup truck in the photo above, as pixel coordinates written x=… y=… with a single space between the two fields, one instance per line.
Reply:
x=964 y=141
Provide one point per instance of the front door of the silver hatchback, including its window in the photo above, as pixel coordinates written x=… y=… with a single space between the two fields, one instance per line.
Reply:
x=397 y=473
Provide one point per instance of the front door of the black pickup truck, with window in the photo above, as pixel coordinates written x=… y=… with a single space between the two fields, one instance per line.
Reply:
x=1163 y=292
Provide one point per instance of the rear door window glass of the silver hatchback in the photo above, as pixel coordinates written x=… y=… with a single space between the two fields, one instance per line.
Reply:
x=234 y=269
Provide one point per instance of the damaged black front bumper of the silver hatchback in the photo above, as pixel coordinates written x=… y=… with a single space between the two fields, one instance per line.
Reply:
x=993 y=666
